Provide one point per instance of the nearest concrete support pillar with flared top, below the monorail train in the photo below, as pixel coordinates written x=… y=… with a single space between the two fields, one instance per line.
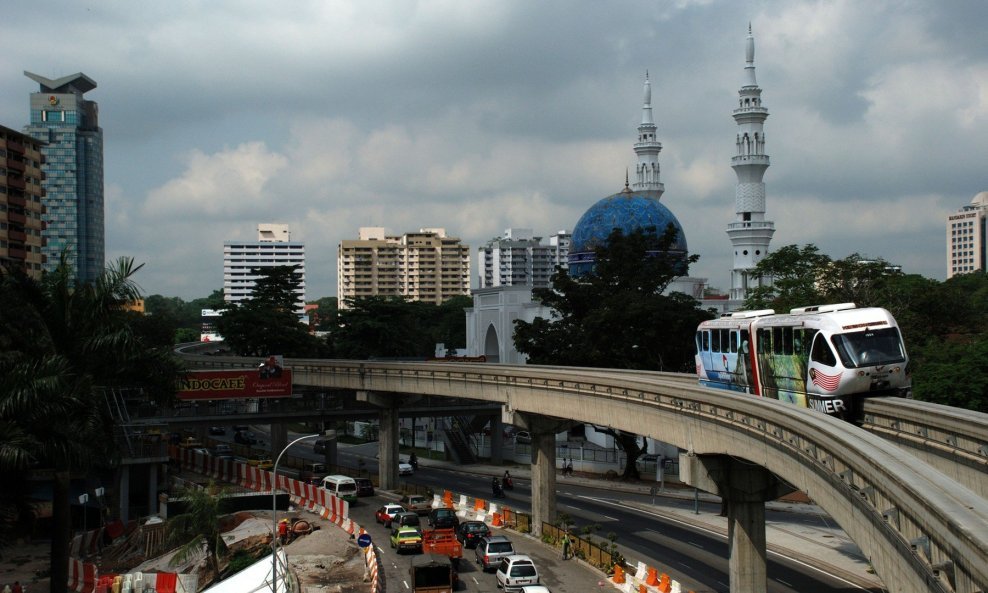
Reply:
x=745 y=487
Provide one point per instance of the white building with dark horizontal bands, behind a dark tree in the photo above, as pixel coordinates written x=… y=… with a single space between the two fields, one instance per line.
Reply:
x=274 y=247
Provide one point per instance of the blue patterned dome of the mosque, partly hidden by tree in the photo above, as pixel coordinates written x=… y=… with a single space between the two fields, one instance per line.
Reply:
x=627 y=210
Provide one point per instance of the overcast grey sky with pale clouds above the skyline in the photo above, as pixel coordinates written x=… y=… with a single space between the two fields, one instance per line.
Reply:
x=479 y=116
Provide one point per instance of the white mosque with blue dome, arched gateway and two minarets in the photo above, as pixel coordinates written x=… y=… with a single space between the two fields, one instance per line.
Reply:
x=490 y=322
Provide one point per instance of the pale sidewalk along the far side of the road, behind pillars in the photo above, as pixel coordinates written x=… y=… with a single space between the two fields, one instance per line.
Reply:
x=811 y=537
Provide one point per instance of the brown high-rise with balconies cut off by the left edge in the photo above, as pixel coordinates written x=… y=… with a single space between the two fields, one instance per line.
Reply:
x=21 y=202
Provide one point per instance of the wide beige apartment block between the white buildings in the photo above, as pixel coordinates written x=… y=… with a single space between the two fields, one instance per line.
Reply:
x=424 y=266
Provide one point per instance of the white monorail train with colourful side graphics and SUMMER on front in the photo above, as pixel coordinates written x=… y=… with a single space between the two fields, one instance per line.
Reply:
x=825 y=357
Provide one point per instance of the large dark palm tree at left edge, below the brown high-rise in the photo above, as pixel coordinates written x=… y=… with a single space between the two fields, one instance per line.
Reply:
x=62 y=342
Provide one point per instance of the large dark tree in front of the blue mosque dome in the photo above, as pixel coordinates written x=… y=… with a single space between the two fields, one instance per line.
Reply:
x=617 y=316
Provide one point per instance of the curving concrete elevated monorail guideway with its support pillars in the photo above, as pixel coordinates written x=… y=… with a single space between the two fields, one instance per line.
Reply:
x=921 y=530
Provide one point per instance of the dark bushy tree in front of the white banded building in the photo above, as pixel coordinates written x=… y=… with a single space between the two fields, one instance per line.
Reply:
x=267 y=323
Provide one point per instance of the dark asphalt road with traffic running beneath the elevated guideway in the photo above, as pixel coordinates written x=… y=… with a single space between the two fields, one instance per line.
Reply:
x=696 y=557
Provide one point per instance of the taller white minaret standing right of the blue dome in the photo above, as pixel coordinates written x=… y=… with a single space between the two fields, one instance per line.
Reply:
x=750 y=233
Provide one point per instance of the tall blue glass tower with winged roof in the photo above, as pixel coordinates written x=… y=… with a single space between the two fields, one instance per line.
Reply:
x=68 y=125
